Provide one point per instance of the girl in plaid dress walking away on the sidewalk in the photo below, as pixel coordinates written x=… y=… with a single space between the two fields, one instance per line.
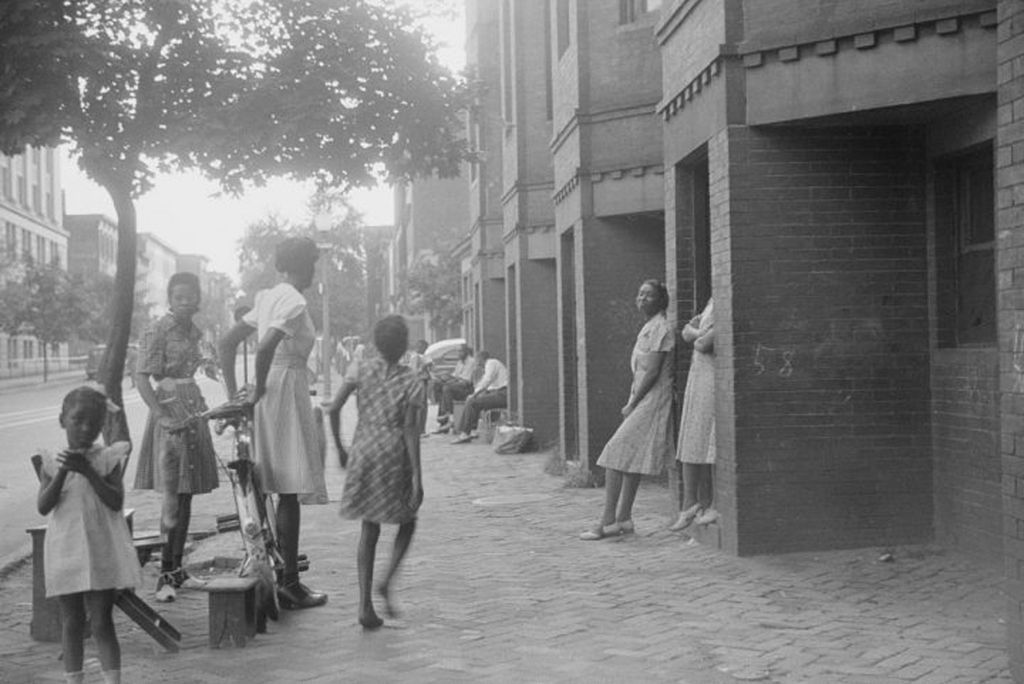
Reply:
x=385 y=483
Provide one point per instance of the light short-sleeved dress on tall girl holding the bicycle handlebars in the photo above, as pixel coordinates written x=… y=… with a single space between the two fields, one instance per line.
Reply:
x=287 y=446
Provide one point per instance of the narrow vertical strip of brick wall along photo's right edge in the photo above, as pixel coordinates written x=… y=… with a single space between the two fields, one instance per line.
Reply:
x=1010 y=258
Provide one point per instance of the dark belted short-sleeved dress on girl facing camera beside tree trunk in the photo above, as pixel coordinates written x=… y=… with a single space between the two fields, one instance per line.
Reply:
x=183 y=461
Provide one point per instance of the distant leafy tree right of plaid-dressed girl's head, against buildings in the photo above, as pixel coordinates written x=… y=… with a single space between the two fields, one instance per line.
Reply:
x=433 y=287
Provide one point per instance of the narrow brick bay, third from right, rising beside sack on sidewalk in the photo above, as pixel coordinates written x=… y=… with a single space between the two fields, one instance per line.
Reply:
x=529 y=219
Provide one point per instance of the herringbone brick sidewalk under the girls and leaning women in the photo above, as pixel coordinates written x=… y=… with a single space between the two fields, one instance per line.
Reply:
x=498 y=589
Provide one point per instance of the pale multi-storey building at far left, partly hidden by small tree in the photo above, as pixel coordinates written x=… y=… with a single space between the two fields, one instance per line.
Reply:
x=31 y=212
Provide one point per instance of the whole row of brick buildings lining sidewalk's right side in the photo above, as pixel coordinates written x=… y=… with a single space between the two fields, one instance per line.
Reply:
x=845 y=179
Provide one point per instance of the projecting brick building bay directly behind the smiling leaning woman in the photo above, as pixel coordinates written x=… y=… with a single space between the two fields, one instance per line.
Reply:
x=609 y=204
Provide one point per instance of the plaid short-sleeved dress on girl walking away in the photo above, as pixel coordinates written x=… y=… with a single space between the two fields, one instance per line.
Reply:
x=379 y=481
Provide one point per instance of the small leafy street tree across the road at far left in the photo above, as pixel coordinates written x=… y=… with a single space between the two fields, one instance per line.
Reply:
x=42 y=303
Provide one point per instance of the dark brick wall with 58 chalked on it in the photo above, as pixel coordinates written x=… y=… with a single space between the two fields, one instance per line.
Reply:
x=829 y=336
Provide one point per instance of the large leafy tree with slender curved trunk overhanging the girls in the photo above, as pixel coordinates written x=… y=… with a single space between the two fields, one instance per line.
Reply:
x=242 y=91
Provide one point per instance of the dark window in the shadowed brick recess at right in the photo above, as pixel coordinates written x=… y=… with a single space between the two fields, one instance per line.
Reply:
x=965 y=218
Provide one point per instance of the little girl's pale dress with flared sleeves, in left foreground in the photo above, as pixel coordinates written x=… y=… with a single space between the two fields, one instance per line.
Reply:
x=89 y=546
